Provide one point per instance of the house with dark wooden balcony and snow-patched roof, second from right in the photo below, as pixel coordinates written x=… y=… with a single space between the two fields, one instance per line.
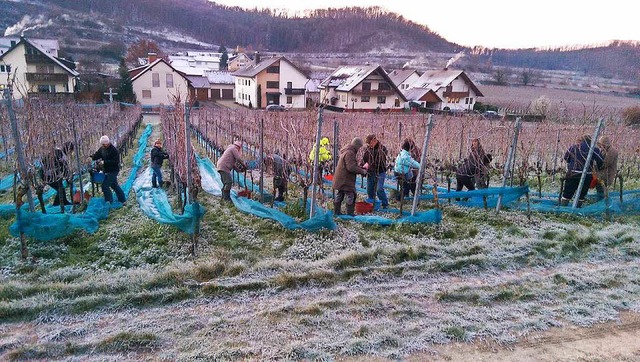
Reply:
x=361 y=88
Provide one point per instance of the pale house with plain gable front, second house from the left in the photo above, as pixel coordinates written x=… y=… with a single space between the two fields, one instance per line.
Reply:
x=159 y=84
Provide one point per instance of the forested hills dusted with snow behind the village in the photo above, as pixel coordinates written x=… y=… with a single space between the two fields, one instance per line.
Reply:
x=102 y=29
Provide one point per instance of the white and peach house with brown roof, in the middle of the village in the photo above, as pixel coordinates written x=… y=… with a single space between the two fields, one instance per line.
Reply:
x=270 y=81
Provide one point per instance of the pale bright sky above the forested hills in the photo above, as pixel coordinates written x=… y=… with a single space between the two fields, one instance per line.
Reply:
x=499 y=23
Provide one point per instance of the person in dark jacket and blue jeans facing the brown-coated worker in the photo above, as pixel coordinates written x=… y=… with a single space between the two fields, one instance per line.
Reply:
x=375 y=156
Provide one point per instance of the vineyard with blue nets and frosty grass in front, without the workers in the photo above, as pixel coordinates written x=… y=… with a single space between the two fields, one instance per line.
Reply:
x=177 y=274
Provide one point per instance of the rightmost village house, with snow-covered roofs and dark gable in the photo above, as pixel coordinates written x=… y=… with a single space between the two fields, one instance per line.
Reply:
x=444 y=90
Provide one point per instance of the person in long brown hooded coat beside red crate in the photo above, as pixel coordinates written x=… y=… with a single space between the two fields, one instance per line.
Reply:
x=344 y=177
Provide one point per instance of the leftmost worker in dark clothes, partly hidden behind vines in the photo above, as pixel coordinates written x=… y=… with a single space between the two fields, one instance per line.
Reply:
x=55 y=169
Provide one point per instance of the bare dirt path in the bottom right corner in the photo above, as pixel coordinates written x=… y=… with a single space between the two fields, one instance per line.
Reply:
x=606 y=342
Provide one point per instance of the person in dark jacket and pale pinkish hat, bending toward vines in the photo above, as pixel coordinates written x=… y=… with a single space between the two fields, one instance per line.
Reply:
x=109 y=157
